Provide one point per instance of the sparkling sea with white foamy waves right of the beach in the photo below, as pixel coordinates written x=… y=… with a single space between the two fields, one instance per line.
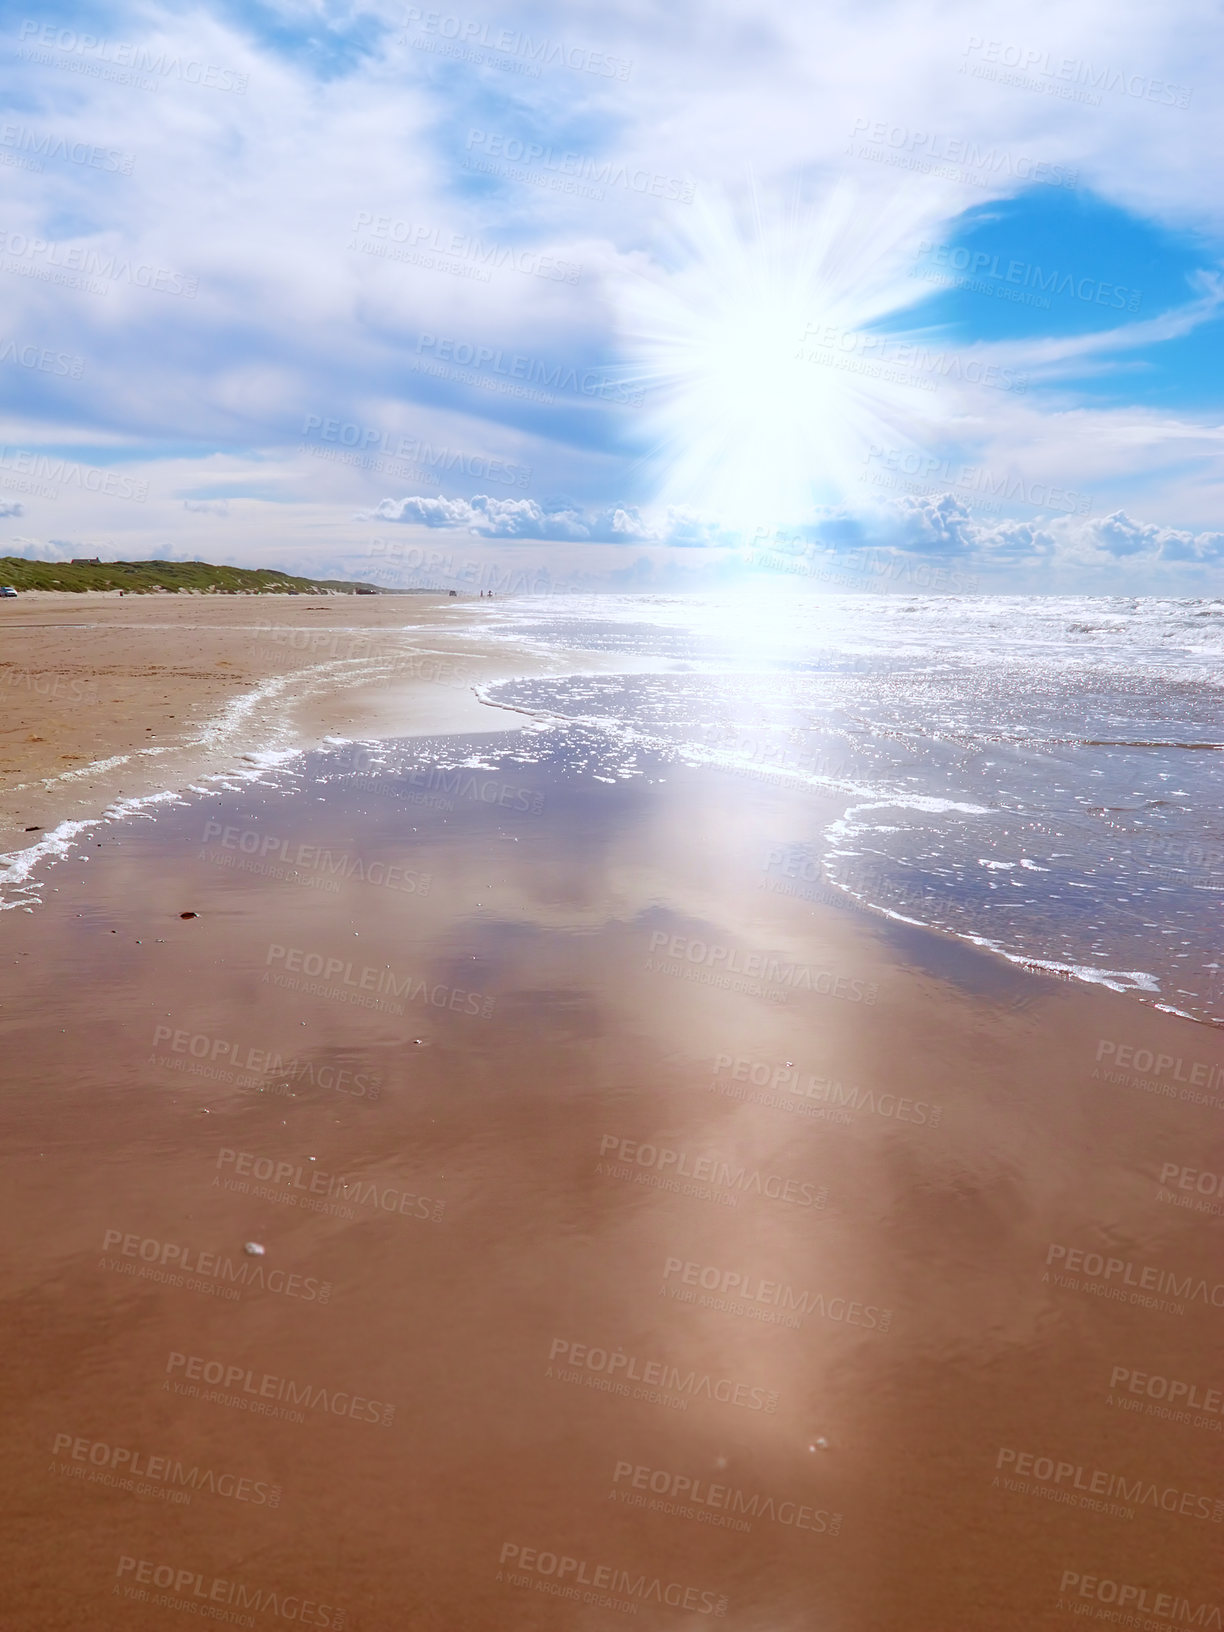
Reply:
x=1040 y=776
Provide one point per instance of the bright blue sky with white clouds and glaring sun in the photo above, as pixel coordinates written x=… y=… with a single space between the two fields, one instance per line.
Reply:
x=610 y=298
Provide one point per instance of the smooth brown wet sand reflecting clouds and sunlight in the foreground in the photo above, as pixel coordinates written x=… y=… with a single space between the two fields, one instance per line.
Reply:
x=588 y=1163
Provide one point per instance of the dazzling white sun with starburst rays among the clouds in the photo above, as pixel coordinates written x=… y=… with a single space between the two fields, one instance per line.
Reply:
x=760 y=347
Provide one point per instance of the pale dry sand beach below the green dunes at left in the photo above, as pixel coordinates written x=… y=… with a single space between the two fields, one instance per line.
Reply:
x=109 y=696
